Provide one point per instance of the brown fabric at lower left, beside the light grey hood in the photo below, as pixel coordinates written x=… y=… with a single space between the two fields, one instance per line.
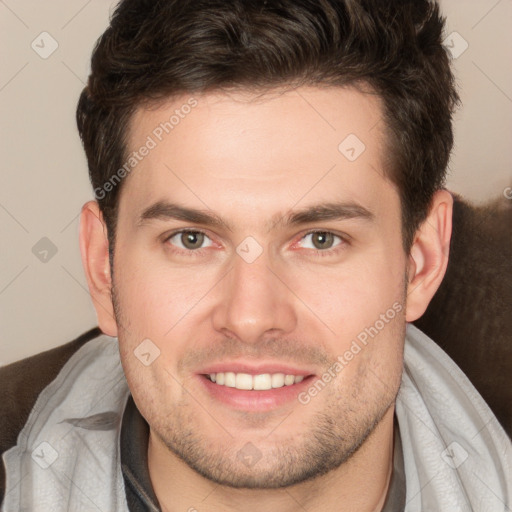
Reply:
x=20 y=385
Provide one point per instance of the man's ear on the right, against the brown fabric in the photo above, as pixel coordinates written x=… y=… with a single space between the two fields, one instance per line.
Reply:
x=429 y=253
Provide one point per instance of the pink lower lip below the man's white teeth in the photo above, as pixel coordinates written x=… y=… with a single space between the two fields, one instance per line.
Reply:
x=253 y=400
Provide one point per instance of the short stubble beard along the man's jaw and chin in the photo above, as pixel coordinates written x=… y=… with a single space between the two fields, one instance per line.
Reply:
x=334 y=434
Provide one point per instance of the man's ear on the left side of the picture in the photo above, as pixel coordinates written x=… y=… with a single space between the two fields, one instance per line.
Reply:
x=95 y=259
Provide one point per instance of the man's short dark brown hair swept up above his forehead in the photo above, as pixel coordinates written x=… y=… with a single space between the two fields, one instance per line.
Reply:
x=156 y=49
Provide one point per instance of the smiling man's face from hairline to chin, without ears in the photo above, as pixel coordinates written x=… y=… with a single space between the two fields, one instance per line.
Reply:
x=256 y=294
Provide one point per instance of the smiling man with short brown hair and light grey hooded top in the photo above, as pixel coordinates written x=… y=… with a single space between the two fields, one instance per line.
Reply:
x=270 y=215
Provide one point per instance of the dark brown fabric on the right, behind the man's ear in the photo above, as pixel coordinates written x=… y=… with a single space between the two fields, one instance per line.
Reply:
x=470 y=316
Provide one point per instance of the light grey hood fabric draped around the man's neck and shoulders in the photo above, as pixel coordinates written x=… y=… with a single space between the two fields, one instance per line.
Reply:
x=457 y=457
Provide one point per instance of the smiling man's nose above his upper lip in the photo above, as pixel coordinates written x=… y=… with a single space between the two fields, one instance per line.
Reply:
x=254 y=301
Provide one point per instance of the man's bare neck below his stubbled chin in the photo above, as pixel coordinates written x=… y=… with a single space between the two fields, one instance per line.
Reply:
x=361 y=483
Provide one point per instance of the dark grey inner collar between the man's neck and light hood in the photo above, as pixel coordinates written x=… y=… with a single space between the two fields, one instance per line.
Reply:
x=139 y=490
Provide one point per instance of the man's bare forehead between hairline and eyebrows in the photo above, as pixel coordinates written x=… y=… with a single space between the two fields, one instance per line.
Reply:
x=258 y=154
